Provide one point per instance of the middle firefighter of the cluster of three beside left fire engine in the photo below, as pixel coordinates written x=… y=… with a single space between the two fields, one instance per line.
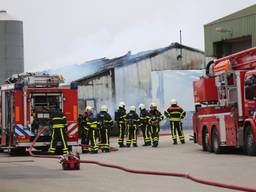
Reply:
x=92 y=125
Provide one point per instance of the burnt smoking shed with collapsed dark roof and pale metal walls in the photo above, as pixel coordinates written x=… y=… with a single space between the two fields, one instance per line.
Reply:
x=129 y=78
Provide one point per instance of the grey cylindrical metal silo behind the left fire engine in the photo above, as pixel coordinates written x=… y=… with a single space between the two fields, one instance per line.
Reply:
x=11 y=46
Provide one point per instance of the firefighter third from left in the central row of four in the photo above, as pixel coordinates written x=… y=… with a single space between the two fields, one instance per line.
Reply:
x=144 y=124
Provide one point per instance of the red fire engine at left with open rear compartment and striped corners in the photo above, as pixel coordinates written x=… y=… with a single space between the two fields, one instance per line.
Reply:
x=25 y=106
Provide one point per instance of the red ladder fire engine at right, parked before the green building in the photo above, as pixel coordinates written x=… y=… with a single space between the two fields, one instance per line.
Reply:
x=225 y=104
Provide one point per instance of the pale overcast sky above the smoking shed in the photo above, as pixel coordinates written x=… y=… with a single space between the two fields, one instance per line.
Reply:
x=64 y=32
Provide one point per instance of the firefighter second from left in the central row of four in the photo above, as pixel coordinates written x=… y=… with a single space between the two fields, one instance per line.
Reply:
x=132 y=120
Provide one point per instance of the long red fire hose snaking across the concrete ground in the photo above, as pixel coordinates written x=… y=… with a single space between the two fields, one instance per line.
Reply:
x=149 y=172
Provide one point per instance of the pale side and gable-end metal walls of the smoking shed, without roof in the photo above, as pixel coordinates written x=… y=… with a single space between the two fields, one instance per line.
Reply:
x=133 y=82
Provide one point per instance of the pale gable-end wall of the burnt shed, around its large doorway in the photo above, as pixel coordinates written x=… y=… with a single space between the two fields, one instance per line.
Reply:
x=133 y=82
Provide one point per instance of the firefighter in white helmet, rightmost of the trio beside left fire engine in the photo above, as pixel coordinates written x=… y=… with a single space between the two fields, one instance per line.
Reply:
x=105 y=123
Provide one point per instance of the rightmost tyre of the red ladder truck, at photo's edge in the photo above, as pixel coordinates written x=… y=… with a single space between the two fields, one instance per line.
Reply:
x=250 y=145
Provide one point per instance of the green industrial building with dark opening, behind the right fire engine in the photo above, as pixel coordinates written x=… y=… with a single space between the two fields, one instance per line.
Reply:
x=231 y=33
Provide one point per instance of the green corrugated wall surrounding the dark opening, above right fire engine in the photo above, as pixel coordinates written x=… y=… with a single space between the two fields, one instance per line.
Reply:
x=239 y=27
